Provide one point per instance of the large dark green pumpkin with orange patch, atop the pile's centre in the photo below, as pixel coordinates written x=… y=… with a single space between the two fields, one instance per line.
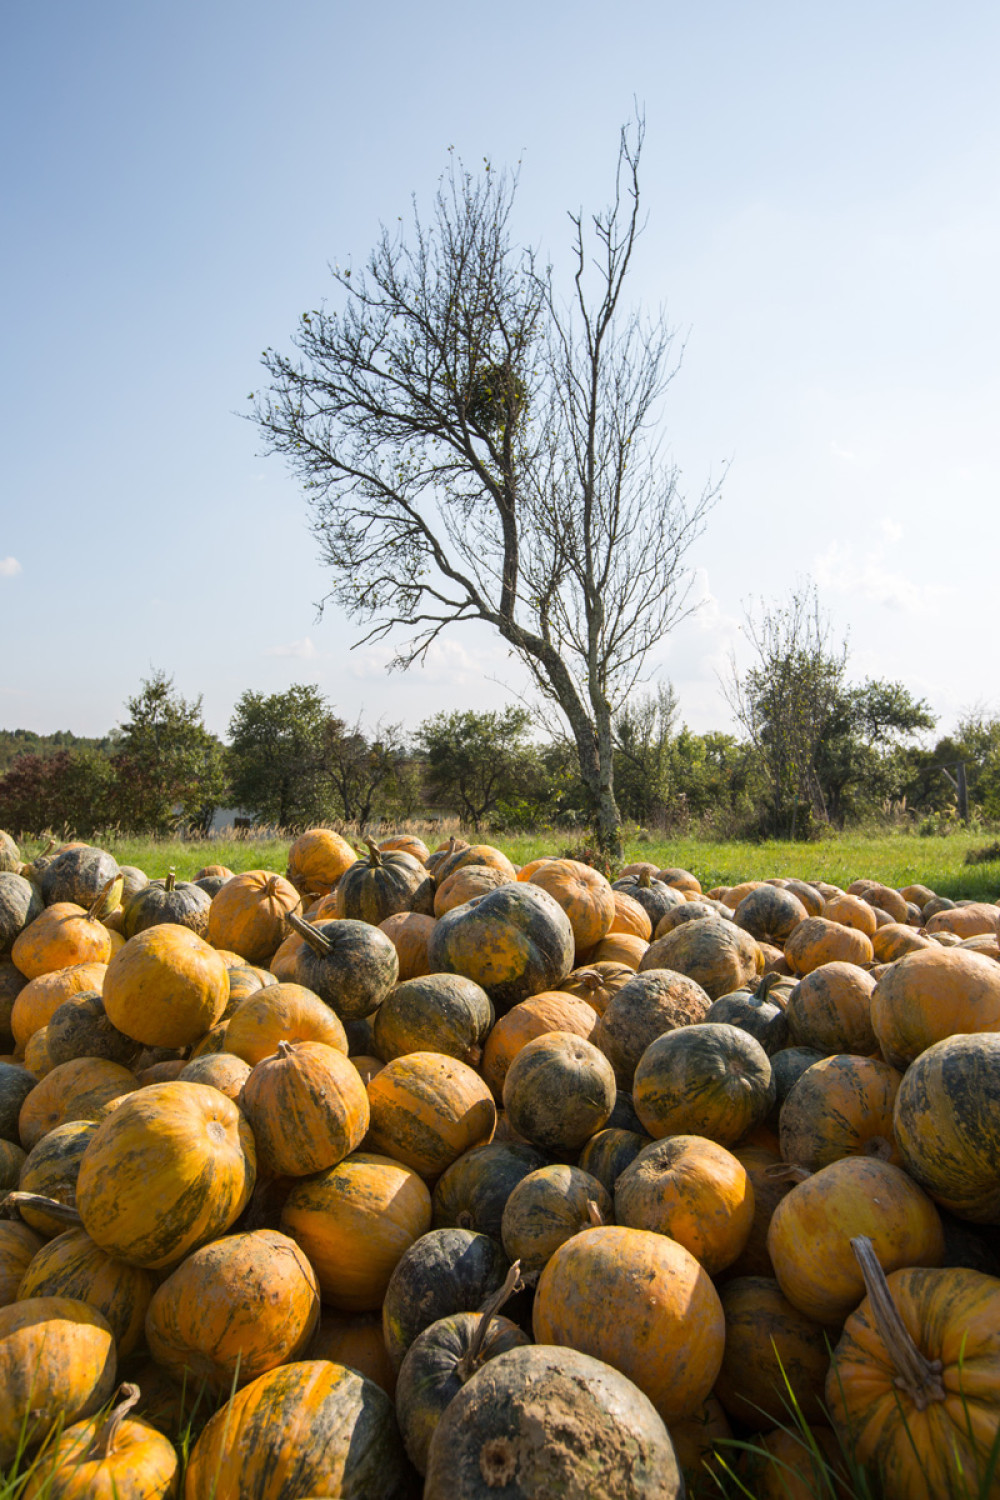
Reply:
x=515 y=943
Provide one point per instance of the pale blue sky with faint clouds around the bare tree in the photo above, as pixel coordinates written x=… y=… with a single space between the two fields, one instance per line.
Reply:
x=824 y=232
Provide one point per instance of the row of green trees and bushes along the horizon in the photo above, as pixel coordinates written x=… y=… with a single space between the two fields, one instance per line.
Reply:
x=292 y=761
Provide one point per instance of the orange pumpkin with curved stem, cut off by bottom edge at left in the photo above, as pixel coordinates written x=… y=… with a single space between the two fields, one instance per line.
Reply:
x=143 y=1465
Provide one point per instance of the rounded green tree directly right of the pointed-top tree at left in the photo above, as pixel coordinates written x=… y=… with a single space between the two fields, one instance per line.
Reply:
x=278 y=755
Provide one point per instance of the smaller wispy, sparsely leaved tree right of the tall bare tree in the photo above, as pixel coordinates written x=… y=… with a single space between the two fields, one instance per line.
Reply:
x=786 y=701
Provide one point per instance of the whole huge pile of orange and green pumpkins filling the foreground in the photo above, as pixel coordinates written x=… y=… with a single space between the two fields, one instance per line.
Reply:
x=419 y=1165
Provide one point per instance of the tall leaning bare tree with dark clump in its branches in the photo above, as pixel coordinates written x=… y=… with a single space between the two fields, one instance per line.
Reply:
x=478 y=449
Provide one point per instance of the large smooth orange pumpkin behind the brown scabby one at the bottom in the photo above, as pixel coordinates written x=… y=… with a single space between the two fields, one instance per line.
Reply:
x=641 y=1303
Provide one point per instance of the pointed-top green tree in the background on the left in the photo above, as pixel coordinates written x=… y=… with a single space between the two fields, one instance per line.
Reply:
x=170 y=770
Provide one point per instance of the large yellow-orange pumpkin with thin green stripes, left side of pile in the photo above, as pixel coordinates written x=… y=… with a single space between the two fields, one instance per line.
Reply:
x=169 y=1171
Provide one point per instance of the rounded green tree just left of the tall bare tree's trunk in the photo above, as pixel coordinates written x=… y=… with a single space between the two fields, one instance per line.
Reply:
x=476 y=761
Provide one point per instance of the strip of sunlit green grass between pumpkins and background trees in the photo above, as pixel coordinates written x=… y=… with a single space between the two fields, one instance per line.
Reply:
x=893 y=859
